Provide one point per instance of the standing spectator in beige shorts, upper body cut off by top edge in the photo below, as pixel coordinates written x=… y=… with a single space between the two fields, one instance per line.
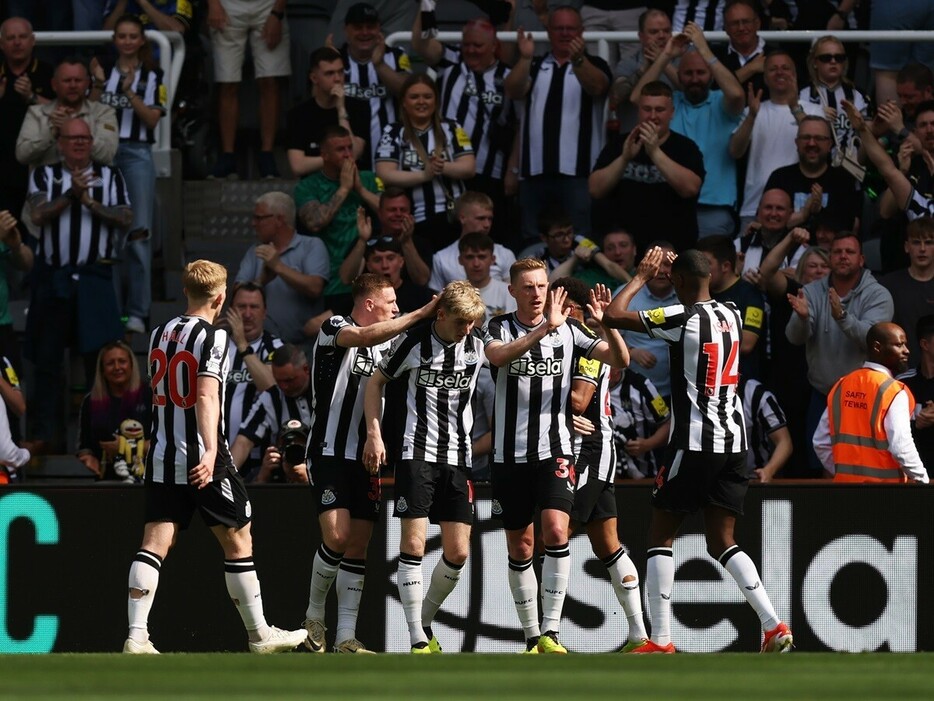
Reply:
x=232 y=23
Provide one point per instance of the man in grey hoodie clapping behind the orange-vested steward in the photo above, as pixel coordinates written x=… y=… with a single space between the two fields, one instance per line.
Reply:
x=831 y=319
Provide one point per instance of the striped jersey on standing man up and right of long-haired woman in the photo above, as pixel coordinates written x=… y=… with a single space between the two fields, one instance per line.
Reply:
x=477 y=101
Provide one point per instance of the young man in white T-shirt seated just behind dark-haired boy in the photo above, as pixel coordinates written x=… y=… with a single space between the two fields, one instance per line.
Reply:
x=474 y=215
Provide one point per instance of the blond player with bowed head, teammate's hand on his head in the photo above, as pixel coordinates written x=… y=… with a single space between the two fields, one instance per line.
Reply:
x=441 y=362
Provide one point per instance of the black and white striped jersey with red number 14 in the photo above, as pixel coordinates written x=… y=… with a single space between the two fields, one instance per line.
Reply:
x=704 y=342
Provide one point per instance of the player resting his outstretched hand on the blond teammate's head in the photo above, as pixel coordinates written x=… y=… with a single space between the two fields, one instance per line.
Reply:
x=347 y=350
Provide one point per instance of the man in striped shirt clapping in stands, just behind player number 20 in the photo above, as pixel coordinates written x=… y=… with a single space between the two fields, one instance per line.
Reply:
x=251 y=350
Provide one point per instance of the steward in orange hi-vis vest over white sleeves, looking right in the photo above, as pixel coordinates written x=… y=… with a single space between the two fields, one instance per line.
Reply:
x=865 y=432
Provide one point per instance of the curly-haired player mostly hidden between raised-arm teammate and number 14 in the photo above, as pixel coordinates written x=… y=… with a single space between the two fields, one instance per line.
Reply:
x=595 y=460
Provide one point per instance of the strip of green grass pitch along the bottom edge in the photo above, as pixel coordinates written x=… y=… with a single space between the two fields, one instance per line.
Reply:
x=230 y=677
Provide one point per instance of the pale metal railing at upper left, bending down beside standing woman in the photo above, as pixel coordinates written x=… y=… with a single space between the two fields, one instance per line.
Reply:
x=171 y=57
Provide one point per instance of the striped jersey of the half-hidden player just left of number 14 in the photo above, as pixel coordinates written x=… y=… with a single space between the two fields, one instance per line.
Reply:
x=596 y=450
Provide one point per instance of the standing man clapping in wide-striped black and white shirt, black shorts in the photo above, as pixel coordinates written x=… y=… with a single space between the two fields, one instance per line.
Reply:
x=562 y=124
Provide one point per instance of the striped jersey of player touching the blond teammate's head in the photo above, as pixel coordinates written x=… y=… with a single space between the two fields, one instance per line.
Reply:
x=338 y=379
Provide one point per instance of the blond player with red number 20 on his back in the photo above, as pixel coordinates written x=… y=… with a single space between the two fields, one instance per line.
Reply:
x=189 y=466
